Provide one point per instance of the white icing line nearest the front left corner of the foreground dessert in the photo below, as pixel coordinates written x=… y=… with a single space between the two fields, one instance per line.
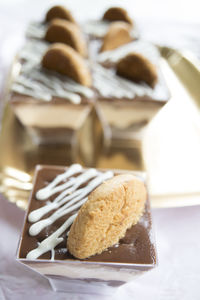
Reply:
x=52 y=241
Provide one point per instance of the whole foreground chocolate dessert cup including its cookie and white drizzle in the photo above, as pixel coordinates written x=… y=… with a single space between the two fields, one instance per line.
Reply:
x=56 y=198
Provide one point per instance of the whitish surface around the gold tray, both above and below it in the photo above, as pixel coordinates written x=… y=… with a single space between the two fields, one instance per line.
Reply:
x=177 y=230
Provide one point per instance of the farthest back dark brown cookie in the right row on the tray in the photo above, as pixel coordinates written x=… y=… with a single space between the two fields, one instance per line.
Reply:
x=117 y=14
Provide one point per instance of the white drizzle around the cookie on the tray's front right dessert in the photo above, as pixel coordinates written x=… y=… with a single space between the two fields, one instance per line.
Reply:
x=110 y=85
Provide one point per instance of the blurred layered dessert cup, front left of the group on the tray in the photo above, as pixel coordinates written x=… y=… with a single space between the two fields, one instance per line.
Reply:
x=52 y=106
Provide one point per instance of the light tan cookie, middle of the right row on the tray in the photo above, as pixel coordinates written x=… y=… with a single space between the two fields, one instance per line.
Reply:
x=119 y=33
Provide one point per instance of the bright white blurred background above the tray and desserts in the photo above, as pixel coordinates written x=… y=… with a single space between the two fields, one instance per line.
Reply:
x=172 y=22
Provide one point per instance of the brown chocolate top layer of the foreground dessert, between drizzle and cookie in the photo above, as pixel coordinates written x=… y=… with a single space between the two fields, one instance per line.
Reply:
x=135 y=248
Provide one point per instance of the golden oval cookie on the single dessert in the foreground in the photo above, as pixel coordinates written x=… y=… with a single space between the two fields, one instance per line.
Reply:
x=110 y=210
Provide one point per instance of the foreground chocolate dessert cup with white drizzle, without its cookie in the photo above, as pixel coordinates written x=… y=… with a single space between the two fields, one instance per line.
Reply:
x=57 y=196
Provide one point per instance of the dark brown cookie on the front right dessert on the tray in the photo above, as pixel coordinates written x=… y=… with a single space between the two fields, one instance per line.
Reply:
x=137 y=68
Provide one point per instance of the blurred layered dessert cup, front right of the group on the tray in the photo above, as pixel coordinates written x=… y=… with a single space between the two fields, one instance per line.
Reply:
x=125 y=106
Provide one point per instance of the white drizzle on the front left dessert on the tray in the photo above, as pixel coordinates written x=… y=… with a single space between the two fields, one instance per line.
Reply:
x=43 y=84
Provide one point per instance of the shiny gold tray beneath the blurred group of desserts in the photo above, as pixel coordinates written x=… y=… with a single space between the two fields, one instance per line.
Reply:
x=169 y=151
